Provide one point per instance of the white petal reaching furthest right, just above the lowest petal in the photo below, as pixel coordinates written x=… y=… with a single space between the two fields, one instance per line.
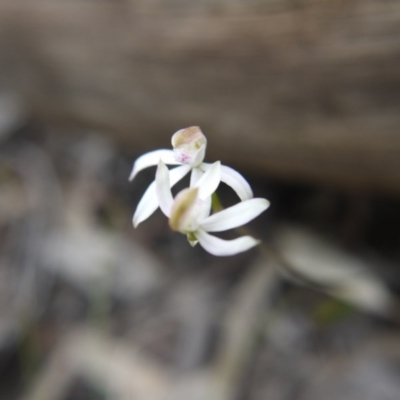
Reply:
x=235 y=216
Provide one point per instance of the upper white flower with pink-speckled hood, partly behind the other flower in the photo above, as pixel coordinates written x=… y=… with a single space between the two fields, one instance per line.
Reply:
x=189 y=146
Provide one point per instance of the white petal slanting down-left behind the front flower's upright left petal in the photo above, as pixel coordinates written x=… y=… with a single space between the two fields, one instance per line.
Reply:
x=149 y=202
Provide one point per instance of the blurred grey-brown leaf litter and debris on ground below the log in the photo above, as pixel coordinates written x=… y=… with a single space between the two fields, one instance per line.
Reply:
x=91 y=307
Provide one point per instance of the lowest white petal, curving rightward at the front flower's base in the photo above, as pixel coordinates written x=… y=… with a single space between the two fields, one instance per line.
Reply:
x=220 y=247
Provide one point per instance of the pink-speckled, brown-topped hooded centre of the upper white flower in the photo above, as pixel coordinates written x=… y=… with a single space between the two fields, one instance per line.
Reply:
x=189 y=146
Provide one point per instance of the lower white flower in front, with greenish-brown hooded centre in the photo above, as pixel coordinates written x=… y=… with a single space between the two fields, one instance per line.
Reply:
x=189 y=212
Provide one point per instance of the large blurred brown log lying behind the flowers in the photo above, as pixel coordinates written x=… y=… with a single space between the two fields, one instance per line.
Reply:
x=306 y=89
